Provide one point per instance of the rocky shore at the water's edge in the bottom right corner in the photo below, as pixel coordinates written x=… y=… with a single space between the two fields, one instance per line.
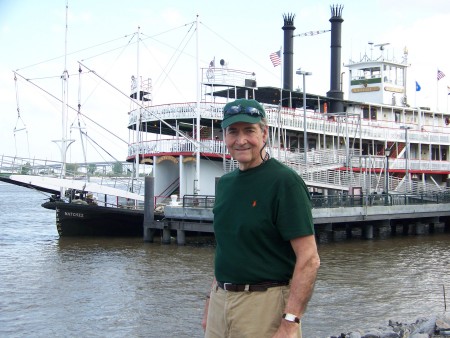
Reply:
x=432 y=327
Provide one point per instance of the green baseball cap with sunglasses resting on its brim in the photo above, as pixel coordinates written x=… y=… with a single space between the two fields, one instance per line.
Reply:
x=242 y=110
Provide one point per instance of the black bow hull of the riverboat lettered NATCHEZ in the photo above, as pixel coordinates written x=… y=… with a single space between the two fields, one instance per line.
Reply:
x=91 y=220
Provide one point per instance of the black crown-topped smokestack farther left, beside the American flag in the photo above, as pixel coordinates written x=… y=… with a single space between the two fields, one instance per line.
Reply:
x=288 y=52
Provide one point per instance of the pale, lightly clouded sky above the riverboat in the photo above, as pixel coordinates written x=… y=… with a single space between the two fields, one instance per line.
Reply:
x=101 y=39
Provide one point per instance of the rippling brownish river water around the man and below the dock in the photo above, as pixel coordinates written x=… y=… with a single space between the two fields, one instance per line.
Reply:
x=101 y=287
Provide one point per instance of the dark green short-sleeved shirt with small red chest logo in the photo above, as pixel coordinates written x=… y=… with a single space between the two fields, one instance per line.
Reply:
x=256 y=214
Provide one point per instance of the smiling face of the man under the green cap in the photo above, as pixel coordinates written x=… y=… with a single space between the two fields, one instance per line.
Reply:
x=244 y=142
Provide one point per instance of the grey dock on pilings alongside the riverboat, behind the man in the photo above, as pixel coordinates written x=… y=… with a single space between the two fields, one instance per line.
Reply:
x=335 y=217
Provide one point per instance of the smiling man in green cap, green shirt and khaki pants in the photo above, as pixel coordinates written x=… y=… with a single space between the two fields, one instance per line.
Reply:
x=266 y=256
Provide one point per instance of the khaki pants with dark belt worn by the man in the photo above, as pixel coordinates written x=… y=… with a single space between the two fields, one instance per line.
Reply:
x=246 y=314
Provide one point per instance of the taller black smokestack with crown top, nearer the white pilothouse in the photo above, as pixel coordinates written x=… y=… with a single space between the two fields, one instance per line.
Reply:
x=335 y=71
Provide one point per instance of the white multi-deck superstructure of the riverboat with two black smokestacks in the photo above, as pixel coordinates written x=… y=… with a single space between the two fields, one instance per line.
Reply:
x=373 y=143
